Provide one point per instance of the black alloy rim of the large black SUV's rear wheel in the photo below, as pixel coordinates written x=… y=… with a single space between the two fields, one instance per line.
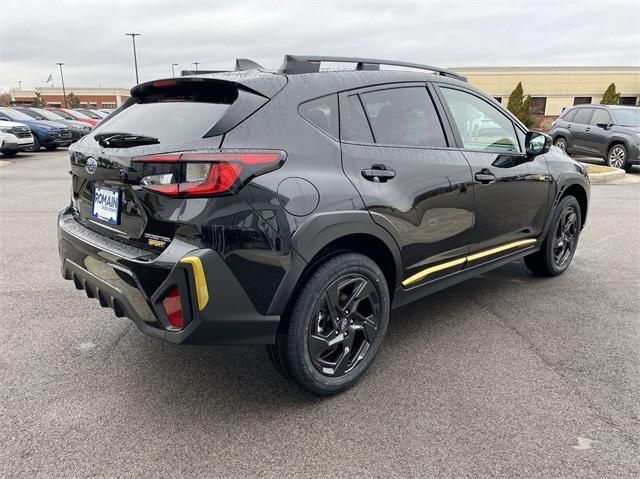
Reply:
x=344 y=325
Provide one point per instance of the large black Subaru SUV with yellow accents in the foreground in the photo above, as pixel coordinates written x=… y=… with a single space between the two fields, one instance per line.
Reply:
x=296 y=208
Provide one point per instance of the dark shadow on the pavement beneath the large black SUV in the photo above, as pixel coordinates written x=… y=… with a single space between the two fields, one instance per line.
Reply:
x=243 y=376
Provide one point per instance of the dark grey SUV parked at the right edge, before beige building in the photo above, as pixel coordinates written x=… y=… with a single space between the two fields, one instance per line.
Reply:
x=609 y=132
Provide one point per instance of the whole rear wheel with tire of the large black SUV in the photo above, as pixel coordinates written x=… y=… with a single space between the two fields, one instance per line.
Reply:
x=335 y=326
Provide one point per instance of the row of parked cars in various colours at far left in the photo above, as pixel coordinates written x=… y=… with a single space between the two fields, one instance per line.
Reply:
x=29 y=128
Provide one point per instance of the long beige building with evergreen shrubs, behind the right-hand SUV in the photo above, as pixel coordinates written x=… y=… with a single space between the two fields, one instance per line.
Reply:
x=553 y=88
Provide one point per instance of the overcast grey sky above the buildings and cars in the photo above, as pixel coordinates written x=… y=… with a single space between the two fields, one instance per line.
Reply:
x=89 y=36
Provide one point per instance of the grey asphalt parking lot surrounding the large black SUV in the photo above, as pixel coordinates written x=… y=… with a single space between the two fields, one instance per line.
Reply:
x=505 y=375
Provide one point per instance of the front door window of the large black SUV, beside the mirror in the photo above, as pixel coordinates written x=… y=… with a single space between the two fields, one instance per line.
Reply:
x=481 y=126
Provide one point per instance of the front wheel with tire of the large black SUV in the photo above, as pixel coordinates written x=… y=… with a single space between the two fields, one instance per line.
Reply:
x=561 y=241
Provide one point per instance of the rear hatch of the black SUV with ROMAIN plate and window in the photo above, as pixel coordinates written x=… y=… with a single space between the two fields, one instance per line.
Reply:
x=111 y=192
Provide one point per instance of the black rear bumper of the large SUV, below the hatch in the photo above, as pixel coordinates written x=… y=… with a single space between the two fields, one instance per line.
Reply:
x=133 y=283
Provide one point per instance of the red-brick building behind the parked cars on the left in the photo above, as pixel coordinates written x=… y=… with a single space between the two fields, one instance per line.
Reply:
x=89 y=97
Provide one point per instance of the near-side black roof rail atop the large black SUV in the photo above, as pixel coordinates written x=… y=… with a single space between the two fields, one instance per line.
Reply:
x=297 y=64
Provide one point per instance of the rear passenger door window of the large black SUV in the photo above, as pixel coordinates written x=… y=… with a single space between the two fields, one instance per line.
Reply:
x=404 y=116
